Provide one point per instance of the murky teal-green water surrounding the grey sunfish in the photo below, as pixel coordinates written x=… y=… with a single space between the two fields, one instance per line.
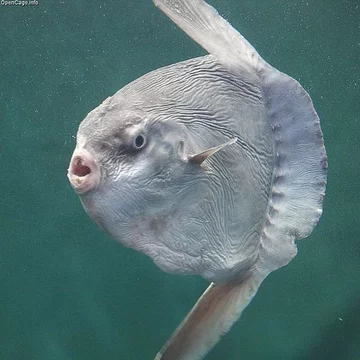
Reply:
x=67 y=291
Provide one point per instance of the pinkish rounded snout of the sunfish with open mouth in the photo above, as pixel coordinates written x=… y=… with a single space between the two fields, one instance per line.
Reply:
x=84 y=172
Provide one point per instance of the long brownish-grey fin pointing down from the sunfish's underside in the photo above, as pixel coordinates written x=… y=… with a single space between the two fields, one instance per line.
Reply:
x=212 y=316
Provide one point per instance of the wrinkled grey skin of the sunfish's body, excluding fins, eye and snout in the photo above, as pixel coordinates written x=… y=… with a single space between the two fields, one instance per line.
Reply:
x=191 y=219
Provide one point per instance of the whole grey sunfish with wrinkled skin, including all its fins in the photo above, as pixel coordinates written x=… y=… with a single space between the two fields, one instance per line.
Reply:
x=212 y=166
